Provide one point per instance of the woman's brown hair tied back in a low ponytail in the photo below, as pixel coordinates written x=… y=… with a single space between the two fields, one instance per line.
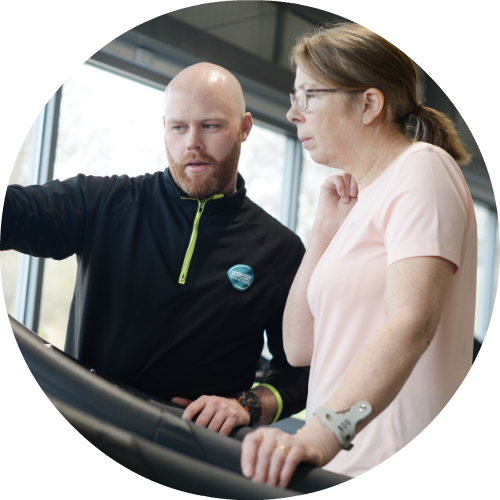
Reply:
x=351 y=55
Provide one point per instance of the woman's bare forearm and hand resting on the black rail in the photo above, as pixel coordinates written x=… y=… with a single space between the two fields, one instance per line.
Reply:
x=377 y=375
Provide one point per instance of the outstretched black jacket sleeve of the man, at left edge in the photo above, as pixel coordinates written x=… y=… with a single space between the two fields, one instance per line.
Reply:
x=51 y=220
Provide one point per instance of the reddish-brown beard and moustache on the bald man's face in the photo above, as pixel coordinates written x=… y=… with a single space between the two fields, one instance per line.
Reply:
x=202 y=185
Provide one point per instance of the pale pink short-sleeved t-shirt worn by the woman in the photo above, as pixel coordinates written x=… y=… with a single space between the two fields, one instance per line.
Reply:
x=419 y=206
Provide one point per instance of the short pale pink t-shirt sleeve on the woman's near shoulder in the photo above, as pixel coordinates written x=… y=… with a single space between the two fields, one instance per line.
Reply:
x=424 y=210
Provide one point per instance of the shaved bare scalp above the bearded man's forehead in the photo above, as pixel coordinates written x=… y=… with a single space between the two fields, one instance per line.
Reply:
x=206 y=80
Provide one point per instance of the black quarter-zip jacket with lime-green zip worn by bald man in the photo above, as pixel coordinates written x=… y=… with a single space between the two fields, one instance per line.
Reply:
x=130 y=317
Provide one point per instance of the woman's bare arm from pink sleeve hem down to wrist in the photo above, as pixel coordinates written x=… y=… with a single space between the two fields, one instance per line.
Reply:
x=415 y=294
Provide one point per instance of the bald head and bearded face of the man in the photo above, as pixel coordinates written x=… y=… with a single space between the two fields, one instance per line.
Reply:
x=205 y=123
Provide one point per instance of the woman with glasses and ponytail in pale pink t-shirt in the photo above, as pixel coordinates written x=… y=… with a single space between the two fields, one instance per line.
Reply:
x=382 y=307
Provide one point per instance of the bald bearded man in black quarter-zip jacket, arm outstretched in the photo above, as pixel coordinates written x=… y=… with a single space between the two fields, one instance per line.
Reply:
x=179 y=273
